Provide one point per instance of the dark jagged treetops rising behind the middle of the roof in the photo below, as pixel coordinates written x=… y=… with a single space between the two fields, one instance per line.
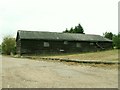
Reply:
x=77 y=29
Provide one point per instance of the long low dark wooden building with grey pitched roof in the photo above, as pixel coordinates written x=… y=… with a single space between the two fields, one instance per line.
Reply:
x=36 y=42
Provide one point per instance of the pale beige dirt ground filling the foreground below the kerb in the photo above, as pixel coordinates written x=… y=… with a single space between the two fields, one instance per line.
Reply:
x=22 y=73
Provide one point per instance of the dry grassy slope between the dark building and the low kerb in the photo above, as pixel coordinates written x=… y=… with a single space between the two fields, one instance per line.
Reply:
x=100 y=55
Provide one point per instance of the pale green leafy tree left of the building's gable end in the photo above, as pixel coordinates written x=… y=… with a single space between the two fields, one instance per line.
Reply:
x=8 y=45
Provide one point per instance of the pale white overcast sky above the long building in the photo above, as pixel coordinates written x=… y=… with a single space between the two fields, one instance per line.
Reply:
x=95 y=16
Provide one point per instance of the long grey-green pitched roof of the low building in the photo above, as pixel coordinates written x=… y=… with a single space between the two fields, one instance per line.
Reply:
x=59 y=36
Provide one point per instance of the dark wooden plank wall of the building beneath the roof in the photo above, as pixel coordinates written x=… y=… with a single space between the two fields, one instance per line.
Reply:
x=37 y=46
